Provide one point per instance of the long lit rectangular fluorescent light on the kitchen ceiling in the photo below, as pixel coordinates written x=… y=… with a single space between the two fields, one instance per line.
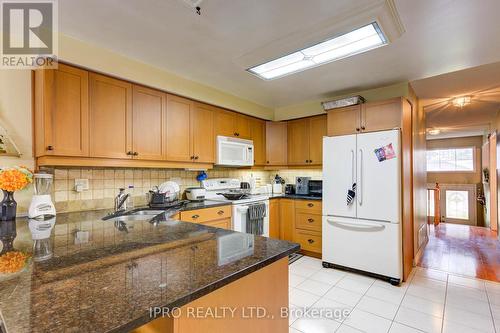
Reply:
x=357 y=41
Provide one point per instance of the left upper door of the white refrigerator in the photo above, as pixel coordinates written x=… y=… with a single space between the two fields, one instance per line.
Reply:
x=339 y=174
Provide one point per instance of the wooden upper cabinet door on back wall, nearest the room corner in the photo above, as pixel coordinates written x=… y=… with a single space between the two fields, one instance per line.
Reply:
x=276 y=143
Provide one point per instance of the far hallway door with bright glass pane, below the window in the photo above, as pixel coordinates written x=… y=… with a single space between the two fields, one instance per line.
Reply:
x=458 y=204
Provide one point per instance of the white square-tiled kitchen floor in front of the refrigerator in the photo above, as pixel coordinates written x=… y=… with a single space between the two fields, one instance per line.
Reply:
x=431 y=301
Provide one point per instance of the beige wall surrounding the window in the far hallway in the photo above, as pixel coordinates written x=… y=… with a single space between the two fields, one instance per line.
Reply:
x=458 y=177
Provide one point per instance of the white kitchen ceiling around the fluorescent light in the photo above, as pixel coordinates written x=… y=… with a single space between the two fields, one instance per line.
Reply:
x=441 y=36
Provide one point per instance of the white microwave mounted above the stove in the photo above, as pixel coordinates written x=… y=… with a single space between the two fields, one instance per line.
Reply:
x=234 y=151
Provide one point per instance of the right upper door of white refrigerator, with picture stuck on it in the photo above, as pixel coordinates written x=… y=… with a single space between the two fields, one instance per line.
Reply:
x=378 y=178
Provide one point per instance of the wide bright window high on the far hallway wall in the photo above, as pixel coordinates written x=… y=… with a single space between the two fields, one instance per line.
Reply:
x=456 y=159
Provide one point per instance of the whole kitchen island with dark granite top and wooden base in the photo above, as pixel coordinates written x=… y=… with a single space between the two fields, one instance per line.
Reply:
x=115 y=276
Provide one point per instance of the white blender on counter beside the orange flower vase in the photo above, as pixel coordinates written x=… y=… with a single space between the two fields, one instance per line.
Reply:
x=41 y=206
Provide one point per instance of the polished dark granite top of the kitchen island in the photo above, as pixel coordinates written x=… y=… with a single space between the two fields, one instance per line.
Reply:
x=104 y=275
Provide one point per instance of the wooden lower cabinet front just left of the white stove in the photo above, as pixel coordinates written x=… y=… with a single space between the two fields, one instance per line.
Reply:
x=219 y=217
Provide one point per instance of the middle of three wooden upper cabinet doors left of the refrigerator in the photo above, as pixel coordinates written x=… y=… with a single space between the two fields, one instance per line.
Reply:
x=298 y=142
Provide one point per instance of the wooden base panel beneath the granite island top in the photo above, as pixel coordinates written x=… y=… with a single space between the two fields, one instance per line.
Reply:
x=265 y=288
